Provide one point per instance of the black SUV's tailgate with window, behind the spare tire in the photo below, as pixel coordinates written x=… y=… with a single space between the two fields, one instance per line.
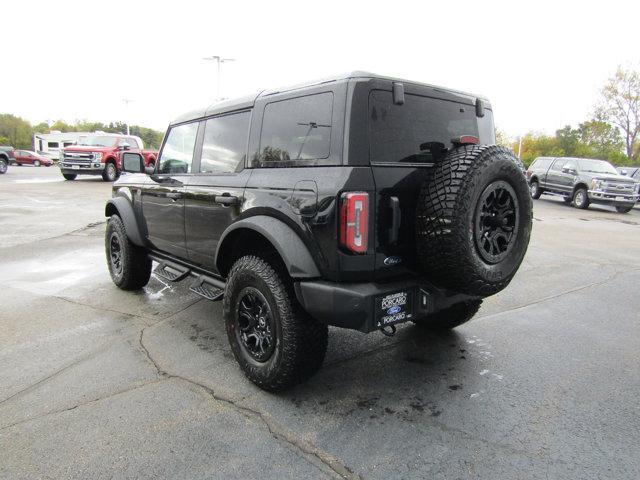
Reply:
x=405 y=140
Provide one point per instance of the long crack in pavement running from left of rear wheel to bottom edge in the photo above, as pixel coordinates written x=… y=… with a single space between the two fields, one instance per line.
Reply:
x=276 y=430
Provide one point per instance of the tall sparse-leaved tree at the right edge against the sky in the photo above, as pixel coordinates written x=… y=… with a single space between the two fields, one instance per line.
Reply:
x=620 y=106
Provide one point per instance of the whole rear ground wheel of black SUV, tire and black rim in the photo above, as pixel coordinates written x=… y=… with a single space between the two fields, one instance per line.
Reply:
x=275 y=342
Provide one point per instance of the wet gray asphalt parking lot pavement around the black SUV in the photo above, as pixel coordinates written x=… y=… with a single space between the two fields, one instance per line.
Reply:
x=100 y=383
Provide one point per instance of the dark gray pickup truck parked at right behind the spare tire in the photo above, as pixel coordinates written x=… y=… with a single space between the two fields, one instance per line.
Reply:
x=581 y=181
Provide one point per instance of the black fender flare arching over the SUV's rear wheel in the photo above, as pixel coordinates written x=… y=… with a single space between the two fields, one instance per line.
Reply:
x=286 y=241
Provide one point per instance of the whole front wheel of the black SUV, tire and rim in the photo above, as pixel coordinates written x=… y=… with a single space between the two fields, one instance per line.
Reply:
x=129 y=264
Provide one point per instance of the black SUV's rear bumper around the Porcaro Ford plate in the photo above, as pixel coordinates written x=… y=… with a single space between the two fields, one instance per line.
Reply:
x=357 y=305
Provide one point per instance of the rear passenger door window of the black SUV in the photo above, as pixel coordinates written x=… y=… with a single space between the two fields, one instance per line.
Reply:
x=225 y=143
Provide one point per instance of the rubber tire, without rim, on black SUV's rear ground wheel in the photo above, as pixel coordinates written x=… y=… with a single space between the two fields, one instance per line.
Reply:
x=304 y=339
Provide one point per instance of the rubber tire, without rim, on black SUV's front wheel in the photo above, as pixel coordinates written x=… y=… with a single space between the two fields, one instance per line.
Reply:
x=136 y=269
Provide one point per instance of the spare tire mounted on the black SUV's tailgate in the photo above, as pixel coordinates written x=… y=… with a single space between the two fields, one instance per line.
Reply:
x=474 y=220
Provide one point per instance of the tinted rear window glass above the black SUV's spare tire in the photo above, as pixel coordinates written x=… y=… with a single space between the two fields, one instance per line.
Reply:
x=421 y=130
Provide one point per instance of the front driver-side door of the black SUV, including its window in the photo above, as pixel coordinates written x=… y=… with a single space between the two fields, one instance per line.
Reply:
x=163 y=196
